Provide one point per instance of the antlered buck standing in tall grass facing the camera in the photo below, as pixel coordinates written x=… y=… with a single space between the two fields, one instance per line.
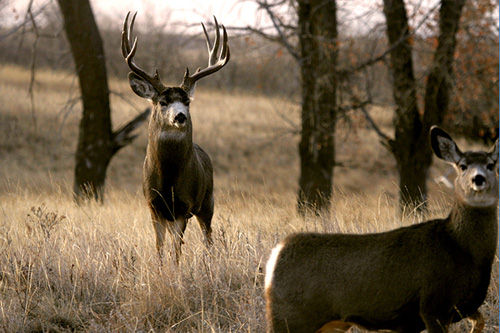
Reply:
x=177 y=173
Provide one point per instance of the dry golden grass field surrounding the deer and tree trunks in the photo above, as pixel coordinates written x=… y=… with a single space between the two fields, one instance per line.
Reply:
x=94 y=267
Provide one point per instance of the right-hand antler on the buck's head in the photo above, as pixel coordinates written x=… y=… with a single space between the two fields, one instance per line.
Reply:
x=215 y=61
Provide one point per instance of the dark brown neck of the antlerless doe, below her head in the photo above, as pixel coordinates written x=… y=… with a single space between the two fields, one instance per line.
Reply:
x=475 y=229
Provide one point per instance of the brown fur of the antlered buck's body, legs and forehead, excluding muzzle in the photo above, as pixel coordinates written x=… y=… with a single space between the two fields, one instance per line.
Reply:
x=177 y=175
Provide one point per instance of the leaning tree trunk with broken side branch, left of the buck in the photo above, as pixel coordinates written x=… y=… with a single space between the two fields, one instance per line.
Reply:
x=96 y=142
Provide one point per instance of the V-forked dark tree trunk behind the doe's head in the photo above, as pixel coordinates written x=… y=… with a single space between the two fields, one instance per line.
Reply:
x=411 y=144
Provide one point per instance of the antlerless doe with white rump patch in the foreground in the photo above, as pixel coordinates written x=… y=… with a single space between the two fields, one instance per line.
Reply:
x=423 y=276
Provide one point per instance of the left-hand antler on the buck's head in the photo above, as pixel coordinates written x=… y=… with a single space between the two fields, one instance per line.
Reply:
x=128 y=53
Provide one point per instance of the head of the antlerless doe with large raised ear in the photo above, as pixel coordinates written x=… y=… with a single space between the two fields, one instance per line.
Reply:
x=477 y=171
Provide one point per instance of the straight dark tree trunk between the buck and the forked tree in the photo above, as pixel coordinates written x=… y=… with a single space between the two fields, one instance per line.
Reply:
x=318 y=52
